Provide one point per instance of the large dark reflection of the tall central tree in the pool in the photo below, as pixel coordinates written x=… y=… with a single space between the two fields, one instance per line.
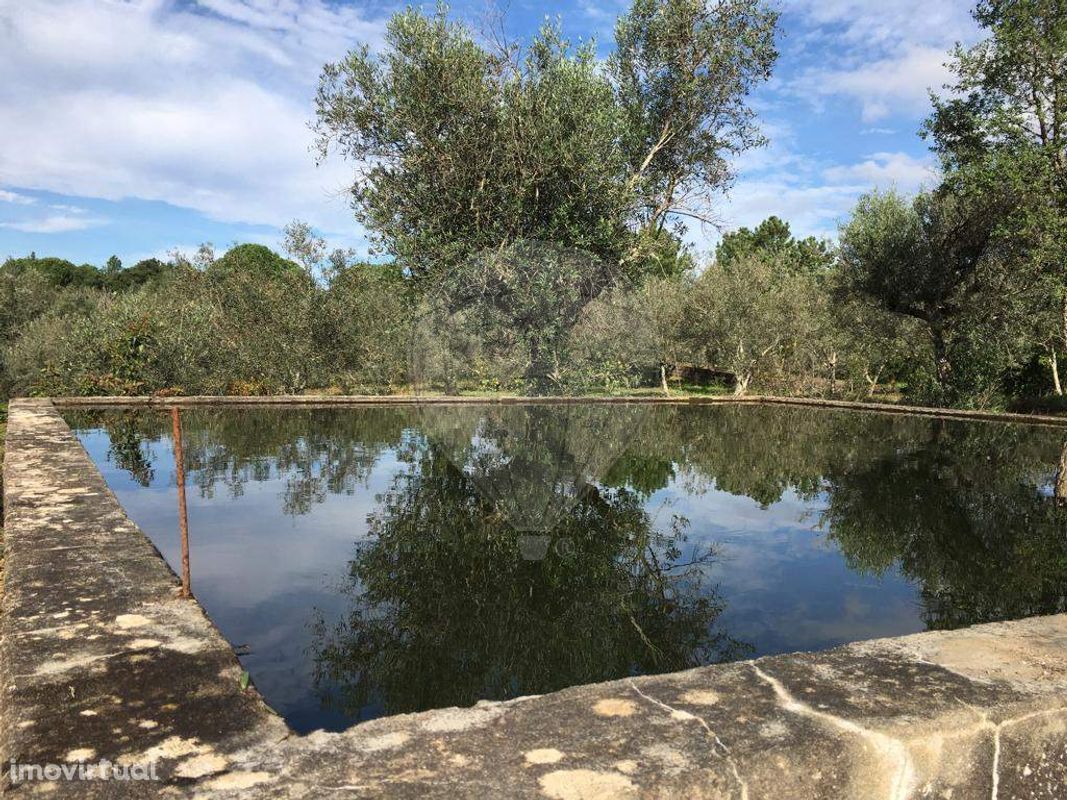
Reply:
x=447 y=612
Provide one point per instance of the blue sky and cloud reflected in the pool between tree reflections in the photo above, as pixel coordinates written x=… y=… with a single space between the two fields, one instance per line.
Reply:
x=265 y=578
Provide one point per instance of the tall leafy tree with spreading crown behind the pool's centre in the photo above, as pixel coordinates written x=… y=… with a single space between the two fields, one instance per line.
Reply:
x=468 y=155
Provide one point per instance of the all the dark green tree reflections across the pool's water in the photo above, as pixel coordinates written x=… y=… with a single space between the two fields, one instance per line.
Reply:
x=967 y=510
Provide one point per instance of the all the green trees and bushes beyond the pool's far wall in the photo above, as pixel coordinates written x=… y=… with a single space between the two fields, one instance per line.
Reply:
x=532 y=203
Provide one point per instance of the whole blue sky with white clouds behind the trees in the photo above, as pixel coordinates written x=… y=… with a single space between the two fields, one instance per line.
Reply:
x=136 y=127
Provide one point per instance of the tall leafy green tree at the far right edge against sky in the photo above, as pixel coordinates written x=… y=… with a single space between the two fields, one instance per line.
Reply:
x=1002 y=131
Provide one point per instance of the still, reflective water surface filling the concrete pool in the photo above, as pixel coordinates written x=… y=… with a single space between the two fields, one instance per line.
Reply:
x=380 y=561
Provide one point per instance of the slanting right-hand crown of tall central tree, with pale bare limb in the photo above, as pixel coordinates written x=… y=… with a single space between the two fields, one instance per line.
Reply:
x=683 y=71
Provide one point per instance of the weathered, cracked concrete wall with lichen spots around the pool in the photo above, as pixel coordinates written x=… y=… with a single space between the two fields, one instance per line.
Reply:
x=115 y=686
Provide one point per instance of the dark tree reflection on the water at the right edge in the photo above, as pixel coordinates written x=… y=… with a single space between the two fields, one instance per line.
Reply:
x=970 y=515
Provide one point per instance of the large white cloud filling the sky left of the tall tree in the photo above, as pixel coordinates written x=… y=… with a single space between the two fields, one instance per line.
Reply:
x=204 y=106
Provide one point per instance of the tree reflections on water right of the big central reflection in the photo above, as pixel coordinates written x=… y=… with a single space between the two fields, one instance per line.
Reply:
x=976 y=514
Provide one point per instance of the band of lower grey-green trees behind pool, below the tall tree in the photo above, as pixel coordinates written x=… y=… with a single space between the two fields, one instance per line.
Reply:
x=769 y=313
